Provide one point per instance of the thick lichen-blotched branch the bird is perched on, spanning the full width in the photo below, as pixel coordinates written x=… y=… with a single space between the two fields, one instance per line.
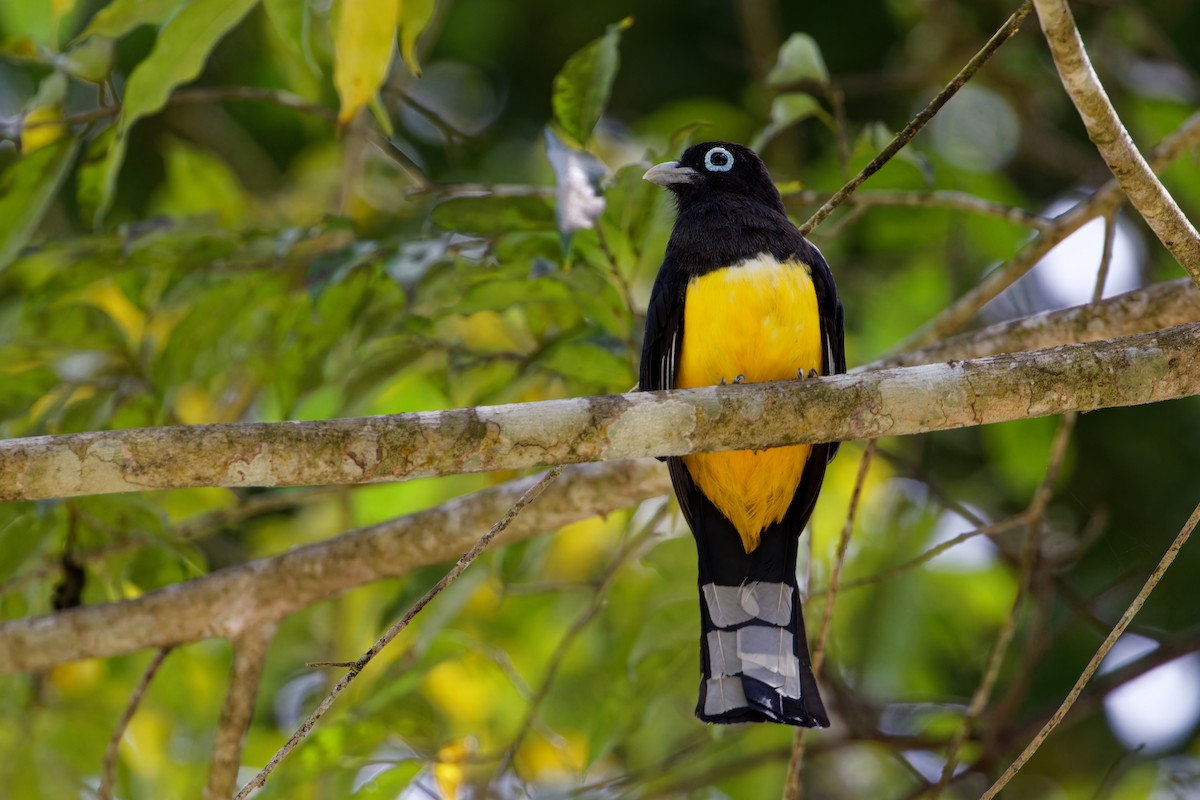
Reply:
x=367 y=450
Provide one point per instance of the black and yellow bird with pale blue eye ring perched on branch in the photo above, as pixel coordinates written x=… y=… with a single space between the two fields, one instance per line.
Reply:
x=742 y=297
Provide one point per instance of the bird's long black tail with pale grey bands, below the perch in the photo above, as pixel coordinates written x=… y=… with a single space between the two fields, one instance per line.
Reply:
x=754 y=652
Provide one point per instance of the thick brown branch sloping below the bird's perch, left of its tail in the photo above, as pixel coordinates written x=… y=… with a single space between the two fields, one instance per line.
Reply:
x=231 y=601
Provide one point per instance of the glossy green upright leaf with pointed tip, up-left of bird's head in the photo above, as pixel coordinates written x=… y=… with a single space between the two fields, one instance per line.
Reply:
x=583 y=87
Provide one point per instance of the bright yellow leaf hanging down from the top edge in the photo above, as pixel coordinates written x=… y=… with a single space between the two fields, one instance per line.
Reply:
x=363 y=43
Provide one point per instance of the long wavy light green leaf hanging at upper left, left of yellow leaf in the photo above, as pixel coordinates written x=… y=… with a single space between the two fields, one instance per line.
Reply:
x=178 y=57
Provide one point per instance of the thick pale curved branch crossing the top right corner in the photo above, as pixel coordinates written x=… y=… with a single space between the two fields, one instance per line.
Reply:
x=1109 y=135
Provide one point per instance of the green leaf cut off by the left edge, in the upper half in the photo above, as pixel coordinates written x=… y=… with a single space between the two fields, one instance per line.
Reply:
x=26 y=193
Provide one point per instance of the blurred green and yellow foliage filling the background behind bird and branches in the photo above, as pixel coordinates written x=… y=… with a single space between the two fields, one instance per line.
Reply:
x=218 y=210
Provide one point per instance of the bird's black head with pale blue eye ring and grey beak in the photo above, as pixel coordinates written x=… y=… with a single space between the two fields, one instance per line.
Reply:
x=717 y=169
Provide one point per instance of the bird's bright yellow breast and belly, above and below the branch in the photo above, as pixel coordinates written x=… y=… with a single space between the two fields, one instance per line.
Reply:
x=758 y=320
